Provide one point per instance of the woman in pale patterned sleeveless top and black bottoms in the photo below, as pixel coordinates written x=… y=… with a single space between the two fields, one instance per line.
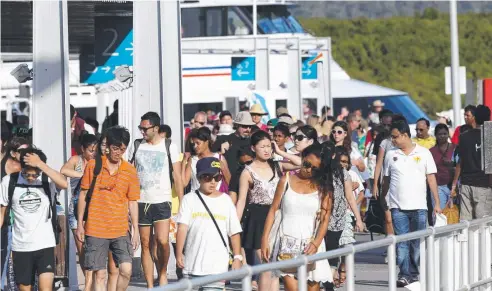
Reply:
x=257 y=186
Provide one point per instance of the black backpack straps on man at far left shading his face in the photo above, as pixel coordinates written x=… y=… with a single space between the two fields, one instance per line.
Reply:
x=46 y=187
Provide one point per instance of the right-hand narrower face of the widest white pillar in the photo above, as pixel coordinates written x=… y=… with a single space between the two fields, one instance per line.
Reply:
x=170 y=52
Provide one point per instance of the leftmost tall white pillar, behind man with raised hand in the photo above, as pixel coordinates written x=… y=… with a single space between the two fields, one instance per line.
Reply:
x=51 y=98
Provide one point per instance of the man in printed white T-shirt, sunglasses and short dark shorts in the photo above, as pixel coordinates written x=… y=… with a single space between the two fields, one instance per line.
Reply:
x=159 y=169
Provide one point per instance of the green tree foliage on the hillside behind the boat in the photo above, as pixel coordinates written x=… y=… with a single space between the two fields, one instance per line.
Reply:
x=409 y=53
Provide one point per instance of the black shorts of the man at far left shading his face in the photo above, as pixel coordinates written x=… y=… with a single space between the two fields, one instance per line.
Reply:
x=27 y=264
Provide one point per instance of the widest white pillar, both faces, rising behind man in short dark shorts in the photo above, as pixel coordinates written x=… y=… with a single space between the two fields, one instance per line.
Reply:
x=157 y=63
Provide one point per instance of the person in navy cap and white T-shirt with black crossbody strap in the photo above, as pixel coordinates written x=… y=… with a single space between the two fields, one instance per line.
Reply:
x=207 y=219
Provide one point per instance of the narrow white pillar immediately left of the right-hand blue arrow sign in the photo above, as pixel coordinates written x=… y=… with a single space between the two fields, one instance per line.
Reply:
x=294 y=100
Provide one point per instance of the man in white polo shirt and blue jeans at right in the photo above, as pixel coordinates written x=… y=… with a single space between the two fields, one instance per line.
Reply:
x=407 y=169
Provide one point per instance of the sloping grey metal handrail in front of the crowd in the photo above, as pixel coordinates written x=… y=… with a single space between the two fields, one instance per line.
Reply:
x=300 y=262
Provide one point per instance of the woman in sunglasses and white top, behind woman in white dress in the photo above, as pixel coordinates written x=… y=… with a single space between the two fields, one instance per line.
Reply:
x=340 y=135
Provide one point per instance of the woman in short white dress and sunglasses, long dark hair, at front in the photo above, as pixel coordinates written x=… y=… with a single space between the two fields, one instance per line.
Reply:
x=305 y=200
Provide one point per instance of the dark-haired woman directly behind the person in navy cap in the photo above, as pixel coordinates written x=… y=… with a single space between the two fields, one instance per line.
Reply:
x=202 y=143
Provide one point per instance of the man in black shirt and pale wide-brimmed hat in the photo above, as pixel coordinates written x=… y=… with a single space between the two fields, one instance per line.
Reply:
x=229 y=145
